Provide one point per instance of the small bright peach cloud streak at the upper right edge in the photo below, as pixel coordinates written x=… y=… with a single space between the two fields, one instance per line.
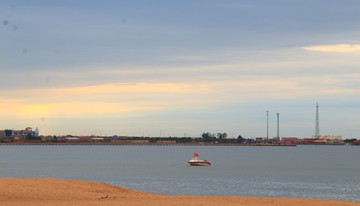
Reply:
x=341 y=48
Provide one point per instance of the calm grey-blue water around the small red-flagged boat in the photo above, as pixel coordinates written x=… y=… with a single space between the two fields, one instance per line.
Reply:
x=315 y=172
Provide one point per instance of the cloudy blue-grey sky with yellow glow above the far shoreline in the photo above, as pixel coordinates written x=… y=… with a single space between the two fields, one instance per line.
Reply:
x=180 y=68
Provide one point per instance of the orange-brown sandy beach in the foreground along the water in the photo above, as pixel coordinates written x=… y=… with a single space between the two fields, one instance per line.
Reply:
x=38 y=192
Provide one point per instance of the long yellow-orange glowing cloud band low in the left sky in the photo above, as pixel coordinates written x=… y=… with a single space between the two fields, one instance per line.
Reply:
x=111 y=99
